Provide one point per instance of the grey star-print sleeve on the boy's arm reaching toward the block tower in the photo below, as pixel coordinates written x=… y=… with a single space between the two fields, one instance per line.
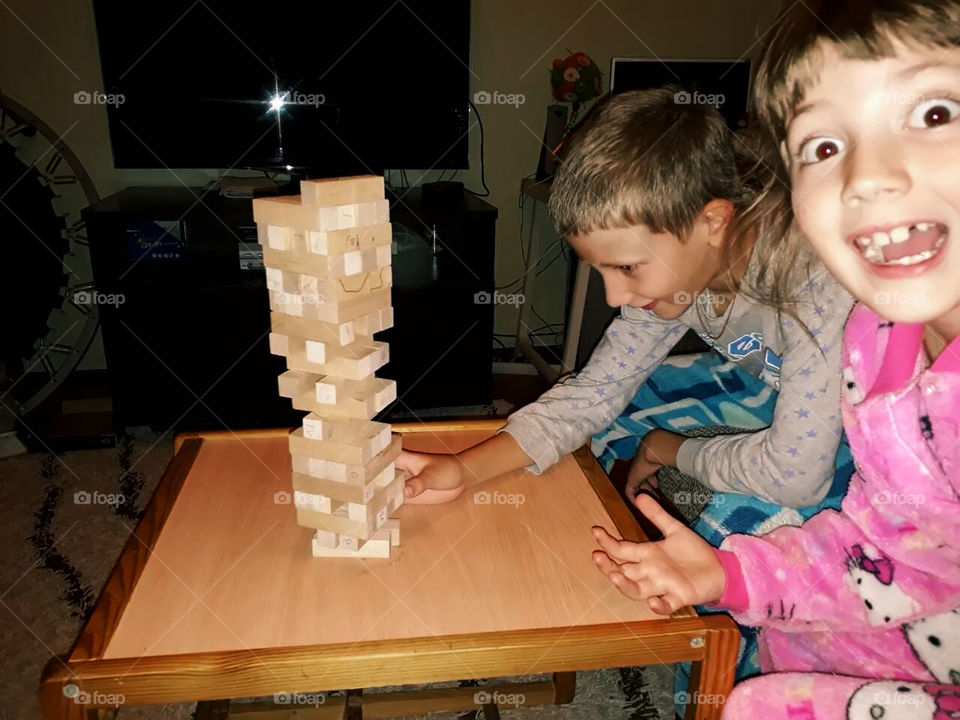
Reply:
x=569 y=413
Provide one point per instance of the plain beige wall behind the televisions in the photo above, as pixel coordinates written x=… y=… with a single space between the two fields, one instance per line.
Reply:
x=48 y=51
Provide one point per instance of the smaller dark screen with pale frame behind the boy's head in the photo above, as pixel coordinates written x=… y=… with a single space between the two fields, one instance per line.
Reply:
x=723 y=83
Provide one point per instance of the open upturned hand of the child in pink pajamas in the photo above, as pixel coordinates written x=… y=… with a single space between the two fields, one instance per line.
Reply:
x=679 y=570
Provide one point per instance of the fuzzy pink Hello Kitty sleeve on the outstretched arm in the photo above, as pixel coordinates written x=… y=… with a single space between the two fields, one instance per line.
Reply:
x=828 y=575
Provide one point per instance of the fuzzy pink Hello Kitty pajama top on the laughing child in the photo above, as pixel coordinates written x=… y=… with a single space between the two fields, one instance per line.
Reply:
x=885 y=570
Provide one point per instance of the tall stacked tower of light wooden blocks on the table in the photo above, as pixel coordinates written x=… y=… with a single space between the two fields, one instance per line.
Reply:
x=327 y=256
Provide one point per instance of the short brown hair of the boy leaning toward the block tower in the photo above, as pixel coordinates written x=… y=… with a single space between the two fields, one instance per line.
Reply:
x=645 y=157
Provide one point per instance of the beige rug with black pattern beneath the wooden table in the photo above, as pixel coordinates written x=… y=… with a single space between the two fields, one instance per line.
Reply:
x=63 y=523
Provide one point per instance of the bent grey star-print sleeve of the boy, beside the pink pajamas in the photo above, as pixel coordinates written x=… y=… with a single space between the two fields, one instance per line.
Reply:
x=791 y=462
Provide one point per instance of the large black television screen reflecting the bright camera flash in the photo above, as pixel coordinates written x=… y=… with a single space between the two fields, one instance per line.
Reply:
x=325 y=87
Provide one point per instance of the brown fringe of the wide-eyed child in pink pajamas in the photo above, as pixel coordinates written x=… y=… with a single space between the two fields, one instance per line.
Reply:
x=856 y=29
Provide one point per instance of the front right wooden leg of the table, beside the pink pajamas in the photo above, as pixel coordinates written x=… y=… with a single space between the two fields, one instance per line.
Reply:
x=711 y=679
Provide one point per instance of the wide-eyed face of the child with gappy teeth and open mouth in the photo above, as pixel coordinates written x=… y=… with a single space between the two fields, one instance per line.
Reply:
x=874 y=158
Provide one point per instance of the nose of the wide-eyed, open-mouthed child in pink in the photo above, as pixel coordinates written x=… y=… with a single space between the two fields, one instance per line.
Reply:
x=874 y=170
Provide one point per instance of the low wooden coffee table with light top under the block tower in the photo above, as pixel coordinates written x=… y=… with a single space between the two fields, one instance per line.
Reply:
x=216 y=596
